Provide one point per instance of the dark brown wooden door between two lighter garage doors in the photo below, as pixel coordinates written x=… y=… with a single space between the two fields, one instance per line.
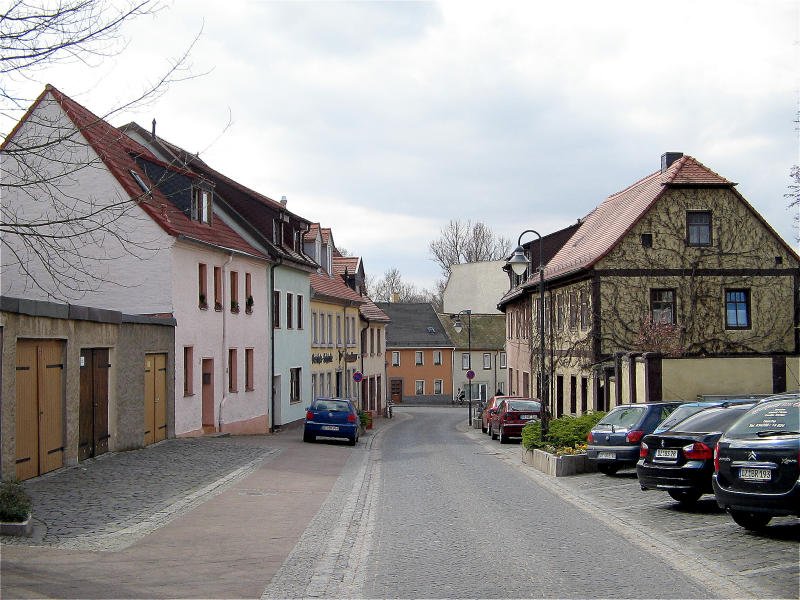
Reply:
x=93 y=427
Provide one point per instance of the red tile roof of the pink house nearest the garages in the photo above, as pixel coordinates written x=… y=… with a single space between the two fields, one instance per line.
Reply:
x=117 y=151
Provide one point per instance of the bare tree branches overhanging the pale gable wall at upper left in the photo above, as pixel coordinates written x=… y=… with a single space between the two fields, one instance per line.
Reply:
x=53 y=242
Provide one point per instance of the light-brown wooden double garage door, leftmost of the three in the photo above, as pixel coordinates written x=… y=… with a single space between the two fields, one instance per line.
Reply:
x=40 y=407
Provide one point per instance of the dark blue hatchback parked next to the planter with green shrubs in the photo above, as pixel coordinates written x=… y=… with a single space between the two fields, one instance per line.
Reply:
x=614 y=442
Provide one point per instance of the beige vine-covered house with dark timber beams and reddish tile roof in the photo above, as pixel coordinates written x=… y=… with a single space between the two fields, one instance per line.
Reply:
x=672 y=288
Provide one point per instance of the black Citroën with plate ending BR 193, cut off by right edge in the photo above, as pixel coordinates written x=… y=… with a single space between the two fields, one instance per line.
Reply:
x=756 y=463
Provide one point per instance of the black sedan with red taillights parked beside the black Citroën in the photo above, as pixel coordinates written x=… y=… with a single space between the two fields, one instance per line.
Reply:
x=680 y=460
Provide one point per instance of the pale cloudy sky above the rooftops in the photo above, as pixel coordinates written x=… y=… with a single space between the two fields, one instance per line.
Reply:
x=385 y=120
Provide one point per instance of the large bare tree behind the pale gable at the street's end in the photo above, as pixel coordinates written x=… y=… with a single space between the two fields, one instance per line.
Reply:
x=464 y=242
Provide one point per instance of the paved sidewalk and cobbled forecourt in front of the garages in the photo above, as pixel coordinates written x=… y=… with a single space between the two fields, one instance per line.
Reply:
x=186 y=518
